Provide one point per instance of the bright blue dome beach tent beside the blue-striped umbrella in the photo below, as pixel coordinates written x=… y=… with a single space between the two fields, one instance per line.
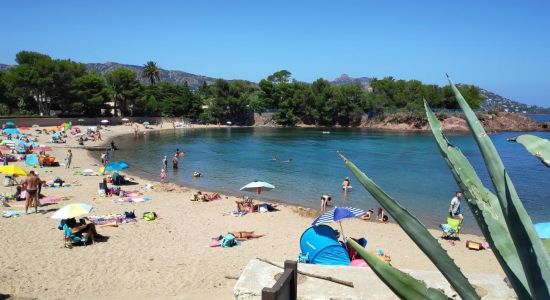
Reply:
x=321 y=246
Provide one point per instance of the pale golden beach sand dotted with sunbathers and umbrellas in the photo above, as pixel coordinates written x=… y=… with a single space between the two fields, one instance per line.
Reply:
x=170 y=258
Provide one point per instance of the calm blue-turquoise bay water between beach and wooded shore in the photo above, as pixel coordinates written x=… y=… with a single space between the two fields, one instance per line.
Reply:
x=408 y=166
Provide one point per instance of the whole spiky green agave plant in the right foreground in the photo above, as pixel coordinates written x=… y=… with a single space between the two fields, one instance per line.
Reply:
x=501 y=217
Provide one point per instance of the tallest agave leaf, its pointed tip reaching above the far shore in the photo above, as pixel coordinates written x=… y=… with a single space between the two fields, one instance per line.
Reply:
x=533 y=255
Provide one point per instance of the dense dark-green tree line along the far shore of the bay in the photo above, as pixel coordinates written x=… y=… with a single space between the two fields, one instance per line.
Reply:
x=39 y=85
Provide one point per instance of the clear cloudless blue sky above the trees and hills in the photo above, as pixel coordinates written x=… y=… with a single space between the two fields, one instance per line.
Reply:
x=502 y=46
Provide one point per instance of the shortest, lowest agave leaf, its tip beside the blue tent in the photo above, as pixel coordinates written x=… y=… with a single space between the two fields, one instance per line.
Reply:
x=402 y=284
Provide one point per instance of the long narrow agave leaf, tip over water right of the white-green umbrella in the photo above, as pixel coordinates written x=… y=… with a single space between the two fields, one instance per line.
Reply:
x=418 y=233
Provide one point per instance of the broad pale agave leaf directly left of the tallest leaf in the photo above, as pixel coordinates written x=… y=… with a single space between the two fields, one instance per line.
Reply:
x=485 y=207
